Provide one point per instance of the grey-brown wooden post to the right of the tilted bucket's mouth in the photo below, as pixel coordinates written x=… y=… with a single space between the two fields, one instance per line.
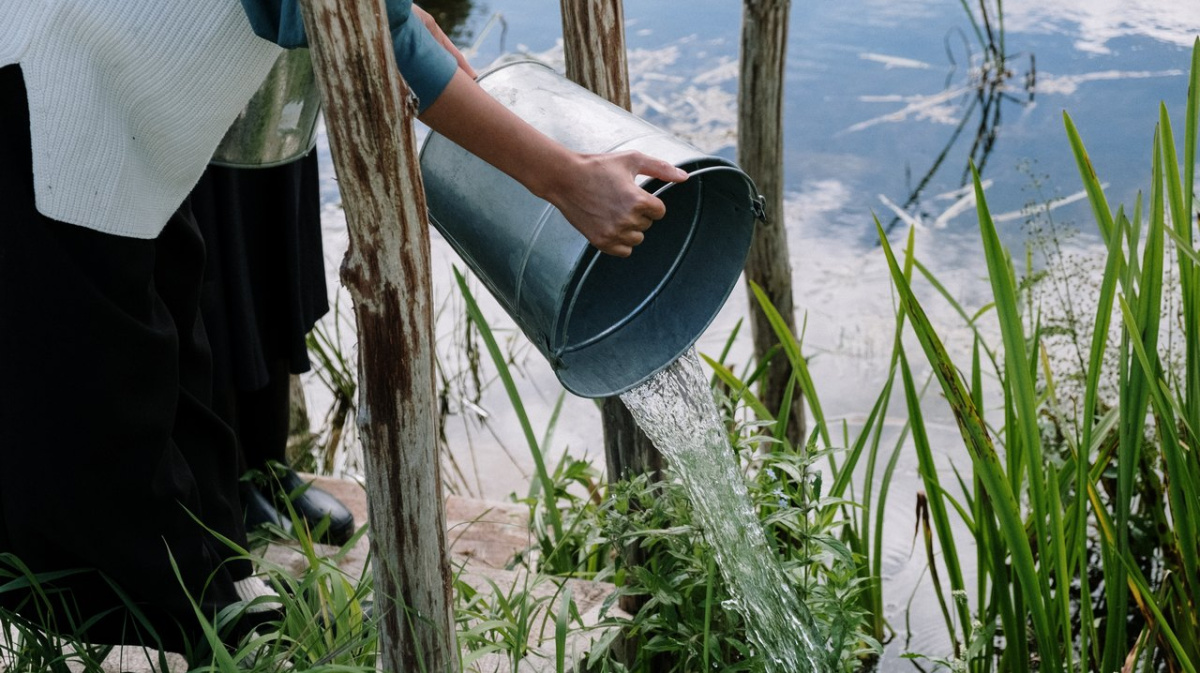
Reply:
x=761 y=155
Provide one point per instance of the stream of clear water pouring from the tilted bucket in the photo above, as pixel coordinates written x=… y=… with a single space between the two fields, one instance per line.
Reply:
x=676 y=411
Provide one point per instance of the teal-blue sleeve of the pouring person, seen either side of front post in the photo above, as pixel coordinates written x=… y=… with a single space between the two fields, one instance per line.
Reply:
x=425 y=64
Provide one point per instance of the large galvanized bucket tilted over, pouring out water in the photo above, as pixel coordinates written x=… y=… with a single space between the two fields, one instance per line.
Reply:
x=605 y=323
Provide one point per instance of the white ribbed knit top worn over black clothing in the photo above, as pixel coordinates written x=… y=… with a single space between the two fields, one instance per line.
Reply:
x=128 y=101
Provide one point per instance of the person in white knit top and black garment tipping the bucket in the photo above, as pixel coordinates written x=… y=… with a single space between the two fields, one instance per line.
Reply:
x=115 y=468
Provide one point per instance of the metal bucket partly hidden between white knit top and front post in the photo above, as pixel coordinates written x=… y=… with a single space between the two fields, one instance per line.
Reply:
x=280 y=123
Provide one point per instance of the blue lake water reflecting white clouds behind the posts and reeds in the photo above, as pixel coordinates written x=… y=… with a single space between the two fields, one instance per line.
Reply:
x=877 y=93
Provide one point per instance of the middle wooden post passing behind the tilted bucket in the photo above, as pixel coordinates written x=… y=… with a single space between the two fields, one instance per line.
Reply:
x=595 y=46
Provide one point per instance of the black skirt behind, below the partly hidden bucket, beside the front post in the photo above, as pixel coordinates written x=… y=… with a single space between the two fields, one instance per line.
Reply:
x=265 y=285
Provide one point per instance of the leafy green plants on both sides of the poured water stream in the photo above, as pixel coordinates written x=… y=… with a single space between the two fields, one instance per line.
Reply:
x=685 y=621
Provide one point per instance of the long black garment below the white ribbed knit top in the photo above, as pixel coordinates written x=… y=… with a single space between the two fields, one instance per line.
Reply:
x=110 y=452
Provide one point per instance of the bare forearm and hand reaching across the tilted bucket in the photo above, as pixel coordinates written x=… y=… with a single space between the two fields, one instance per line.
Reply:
x=597 y=194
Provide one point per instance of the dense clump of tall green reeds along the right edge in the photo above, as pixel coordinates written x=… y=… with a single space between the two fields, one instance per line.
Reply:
x=1042 y=526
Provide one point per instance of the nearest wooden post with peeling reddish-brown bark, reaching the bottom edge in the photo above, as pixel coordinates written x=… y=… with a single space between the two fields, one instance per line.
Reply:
x=369 y=116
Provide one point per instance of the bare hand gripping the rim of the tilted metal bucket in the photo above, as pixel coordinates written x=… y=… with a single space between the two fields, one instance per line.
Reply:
x=599 y=197
